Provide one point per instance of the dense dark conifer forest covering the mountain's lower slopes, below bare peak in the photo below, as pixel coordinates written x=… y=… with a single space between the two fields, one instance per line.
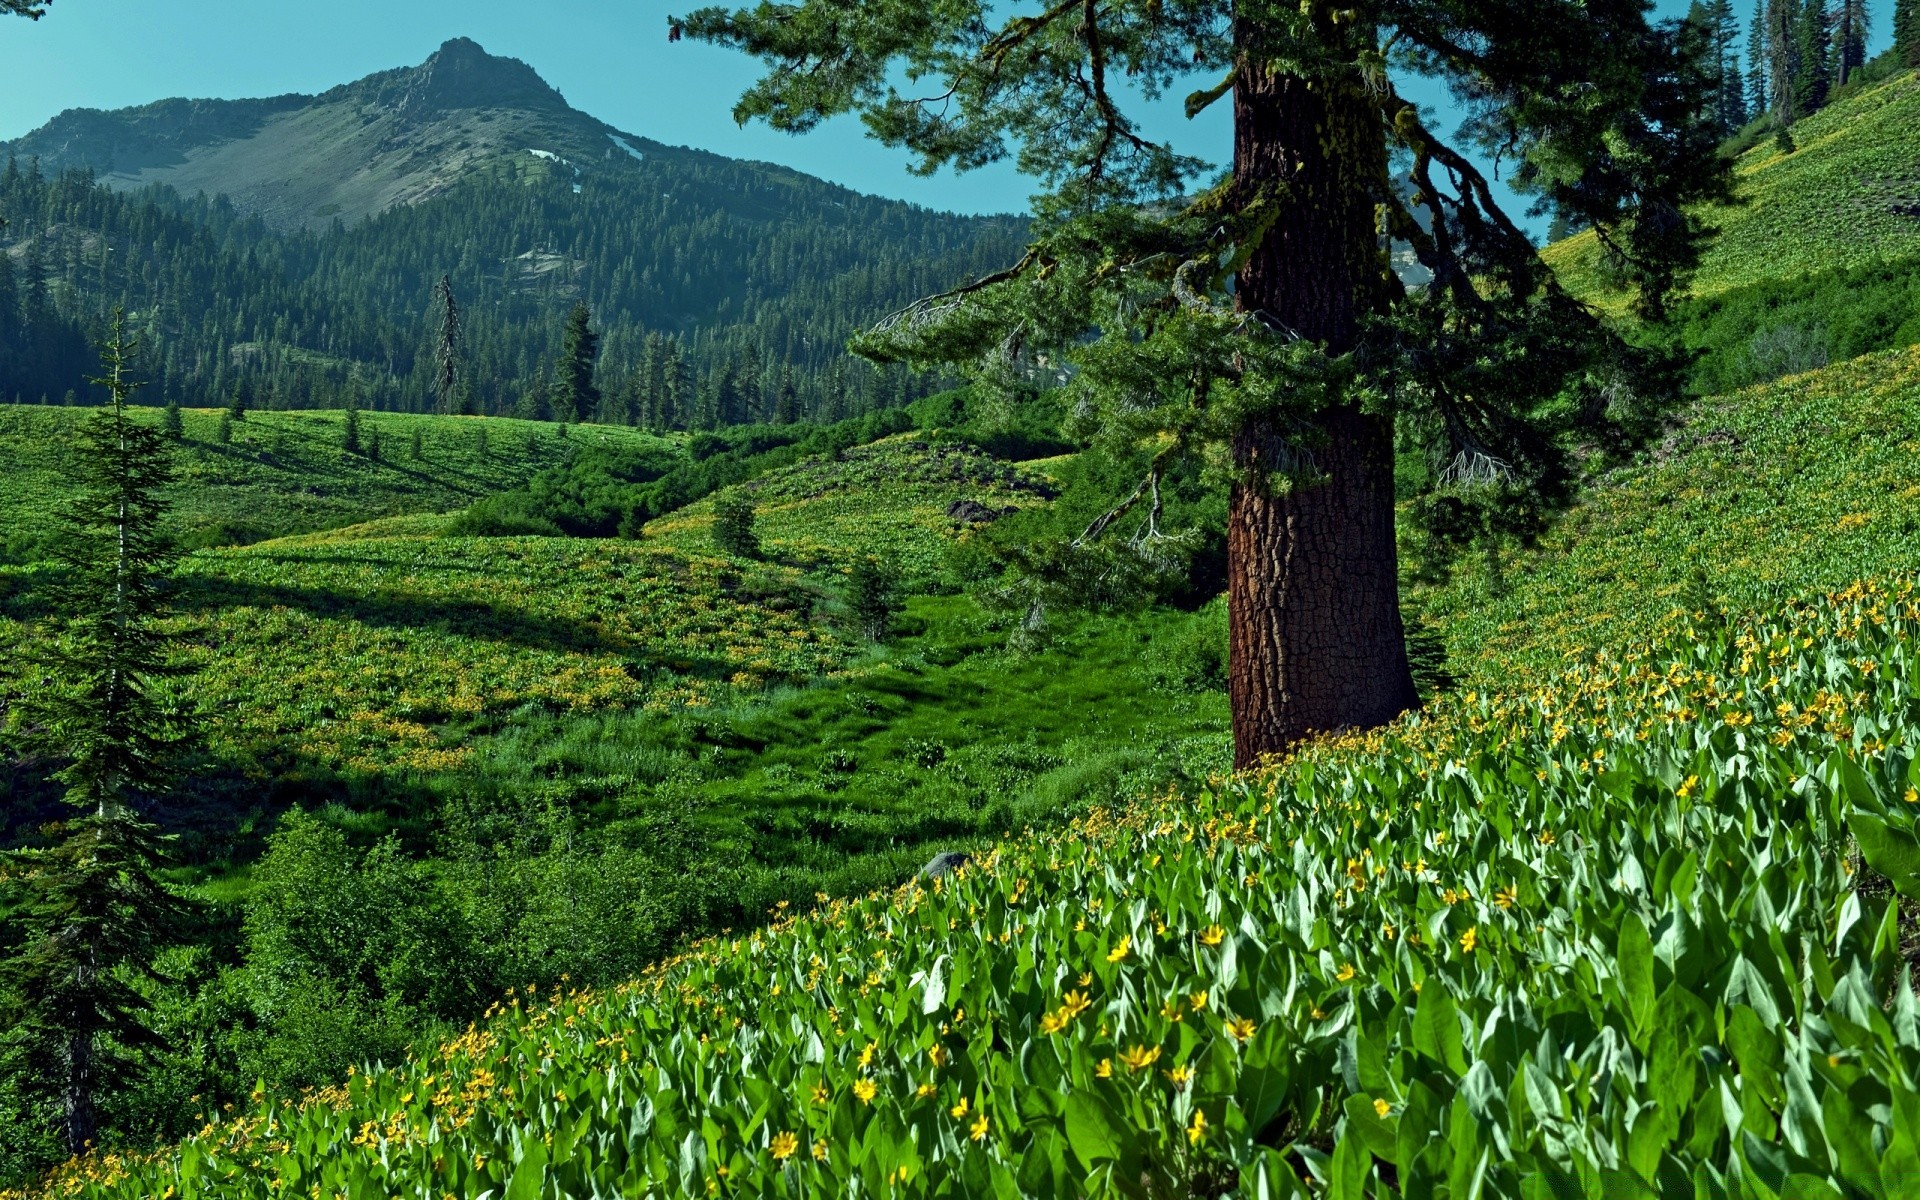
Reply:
x=721 y=299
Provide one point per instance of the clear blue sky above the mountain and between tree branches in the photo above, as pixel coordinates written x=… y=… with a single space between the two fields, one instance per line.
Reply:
x=608 y=57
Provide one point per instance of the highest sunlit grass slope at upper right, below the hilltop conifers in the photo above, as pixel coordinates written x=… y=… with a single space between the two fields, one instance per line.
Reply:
x=1848 y=195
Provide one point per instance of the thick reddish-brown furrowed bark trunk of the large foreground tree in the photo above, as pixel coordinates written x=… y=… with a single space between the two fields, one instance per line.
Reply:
x=1314 y=590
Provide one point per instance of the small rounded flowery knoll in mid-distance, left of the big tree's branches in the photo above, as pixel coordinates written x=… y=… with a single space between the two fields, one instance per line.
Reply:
x=886 y=500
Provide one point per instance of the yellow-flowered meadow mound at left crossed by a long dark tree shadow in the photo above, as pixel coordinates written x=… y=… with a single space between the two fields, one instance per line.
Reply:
x=348 y=654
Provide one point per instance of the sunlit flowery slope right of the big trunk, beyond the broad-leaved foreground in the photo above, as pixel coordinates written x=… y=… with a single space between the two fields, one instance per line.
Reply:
x=1764 y=494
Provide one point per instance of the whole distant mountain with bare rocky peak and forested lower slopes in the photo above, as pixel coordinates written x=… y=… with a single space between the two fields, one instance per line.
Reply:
x=295 y=243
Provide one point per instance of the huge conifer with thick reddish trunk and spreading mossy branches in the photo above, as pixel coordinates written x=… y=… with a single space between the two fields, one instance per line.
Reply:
x=1257 y=324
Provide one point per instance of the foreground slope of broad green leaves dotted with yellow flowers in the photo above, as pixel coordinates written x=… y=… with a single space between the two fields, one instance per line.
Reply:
x=1595 y=938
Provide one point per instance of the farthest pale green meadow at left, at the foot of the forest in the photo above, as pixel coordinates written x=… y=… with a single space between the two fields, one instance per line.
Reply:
x=289 y=473
